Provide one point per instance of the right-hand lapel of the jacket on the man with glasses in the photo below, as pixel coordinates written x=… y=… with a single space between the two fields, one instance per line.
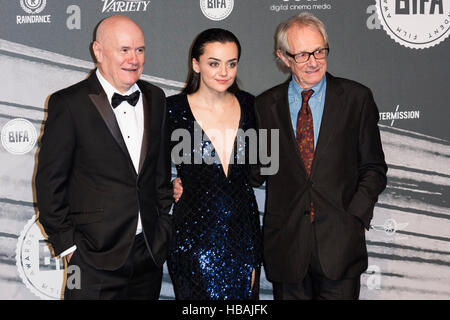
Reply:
x=330 y=115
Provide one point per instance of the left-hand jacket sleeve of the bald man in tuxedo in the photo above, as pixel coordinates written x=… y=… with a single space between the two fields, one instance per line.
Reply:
x=53 y=172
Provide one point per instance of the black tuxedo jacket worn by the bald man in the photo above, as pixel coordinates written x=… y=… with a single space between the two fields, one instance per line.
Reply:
x=88 y=191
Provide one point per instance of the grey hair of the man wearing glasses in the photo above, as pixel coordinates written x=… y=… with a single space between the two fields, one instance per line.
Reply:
x=302 y=19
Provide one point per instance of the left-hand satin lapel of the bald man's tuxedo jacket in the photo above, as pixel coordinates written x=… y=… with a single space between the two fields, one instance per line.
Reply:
x=100 y=100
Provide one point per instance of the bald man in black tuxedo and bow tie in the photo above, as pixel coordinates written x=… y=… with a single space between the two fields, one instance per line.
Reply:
x=103 y=178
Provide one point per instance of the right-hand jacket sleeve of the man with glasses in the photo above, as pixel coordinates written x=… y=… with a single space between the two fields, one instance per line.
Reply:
x=372 y=167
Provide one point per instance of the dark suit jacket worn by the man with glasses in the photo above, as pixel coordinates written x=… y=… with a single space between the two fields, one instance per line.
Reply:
x=347 y=175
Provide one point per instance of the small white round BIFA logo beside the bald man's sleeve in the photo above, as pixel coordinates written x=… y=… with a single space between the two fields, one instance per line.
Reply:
x=18 y=136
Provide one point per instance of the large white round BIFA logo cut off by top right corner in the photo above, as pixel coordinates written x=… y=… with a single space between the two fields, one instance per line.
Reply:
x=416 y=24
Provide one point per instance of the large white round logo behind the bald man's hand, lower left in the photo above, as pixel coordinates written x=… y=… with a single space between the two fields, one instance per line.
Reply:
x=41 y=273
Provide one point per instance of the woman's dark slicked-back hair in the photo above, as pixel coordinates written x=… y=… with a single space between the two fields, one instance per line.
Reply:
x=198 y=48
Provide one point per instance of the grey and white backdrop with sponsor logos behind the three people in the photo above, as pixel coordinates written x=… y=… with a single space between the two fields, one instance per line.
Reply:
x=398 y=48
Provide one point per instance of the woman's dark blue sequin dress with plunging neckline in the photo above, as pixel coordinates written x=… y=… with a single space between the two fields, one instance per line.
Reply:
x=216 y=241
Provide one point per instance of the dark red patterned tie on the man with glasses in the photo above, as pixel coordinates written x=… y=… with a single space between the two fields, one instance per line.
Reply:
x=305 y=135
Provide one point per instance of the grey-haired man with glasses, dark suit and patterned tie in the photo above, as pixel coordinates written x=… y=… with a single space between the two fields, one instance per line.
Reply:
x=332 y=160
